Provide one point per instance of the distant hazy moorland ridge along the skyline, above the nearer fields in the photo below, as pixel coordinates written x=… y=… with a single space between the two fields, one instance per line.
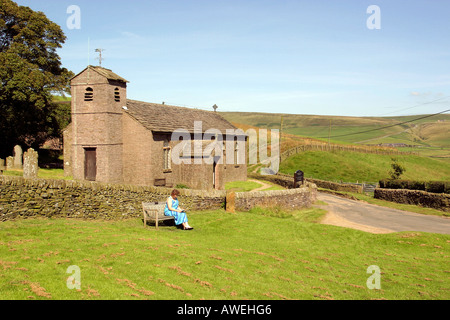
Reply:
x=433 y=131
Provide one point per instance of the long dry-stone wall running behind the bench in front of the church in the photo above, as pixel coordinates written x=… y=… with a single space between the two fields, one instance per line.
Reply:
x=23 y=198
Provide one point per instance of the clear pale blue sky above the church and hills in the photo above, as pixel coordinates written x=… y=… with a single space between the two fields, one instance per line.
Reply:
x=299 y=57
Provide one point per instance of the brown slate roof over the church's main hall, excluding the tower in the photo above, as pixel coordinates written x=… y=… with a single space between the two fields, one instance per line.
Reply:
x=167 y=118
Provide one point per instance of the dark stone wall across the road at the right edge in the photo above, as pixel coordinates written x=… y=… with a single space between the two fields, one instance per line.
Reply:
x=440 y=201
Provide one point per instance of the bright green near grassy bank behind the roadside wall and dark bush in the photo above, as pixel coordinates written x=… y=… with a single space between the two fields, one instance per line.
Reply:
x=354 y=166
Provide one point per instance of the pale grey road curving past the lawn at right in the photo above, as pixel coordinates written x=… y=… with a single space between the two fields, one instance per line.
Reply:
x=376 y=219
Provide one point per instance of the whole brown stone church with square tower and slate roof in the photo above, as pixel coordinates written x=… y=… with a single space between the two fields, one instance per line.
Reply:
x=116 y=140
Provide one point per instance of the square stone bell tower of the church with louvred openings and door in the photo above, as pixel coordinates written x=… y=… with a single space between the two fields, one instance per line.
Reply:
x=98 y=96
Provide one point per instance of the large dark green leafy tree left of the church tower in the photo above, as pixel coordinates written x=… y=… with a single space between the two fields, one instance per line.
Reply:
x=30 y=71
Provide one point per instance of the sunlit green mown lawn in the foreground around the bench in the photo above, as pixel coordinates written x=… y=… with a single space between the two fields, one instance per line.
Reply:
x=262 y=254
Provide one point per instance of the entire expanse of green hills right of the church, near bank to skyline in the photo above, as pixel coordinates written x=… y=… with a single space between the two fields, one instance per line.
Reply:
x=428 y=139
